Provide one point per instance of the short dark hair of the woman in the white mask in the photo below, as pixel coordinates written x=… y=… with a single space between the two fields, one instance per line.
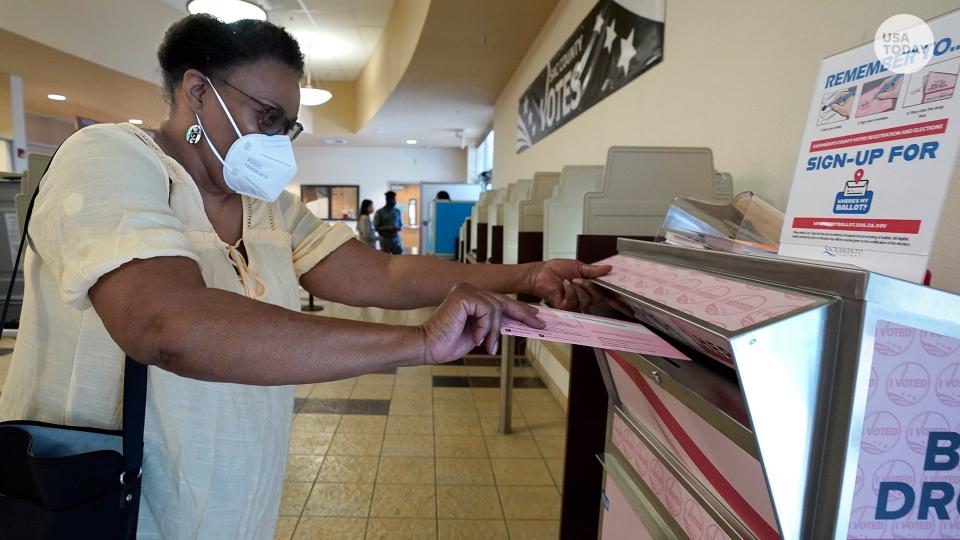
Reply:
x=215 y=48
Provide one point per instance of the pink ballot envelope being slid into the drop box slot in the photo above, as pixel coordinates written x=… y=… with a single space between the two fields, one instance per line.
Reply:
x=590 y=331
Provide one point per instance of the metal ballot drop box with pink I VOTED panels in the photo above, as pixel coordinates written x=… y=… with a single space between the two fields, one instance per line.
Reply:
x=816 y=394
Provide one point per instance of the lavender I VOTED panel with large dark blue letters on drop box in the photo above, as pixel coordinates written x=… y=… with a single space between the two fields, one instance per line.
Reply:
x=908 y=474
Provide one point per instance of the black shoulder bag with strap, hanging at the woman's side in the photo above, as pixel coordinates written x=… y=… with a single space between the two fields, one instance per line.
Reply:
x=72 y=482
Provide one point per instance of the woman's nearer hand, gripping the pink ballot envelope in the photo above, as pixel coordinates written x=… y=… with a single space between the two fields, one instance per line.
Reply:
x=469 y=317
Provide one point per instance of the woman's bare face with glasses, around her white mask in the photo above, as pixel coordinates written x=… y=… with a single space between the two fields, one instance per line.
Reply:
x=262 y=97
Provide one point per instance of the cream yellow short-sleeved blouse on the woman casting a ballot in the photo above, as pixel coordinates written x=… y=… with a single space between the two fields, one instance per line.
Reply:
x=214 y=453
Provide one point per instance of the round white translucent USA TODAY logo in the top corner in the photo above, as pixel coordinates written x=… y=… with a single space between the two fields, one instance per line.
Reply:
x=903 y=44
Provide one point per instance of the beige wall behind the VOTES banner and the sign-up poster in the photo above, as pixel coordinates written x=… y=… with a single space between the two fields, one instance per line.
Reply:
x=737 y=77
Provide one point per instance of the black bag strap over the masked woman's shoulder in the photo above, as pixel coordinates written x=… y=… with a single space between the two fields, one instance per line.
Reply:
x=134 y=381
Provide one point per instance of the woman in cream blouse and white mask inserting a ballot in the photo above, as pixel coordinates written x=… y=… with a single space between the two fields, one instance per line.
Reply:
x=191 y=254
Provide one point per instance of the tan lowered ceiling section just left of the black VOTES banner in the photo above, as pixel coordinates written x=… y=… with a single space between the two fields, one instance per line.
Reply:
x=467 y=52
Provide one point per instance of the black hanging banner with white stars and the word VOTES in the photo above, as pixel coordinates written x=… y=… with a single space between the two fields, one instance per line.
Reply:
x=615 y=43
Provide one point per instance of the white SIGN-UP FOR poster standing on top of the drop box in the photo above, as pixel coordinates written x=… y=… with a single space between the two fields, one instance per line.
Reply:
x=878 y=151
